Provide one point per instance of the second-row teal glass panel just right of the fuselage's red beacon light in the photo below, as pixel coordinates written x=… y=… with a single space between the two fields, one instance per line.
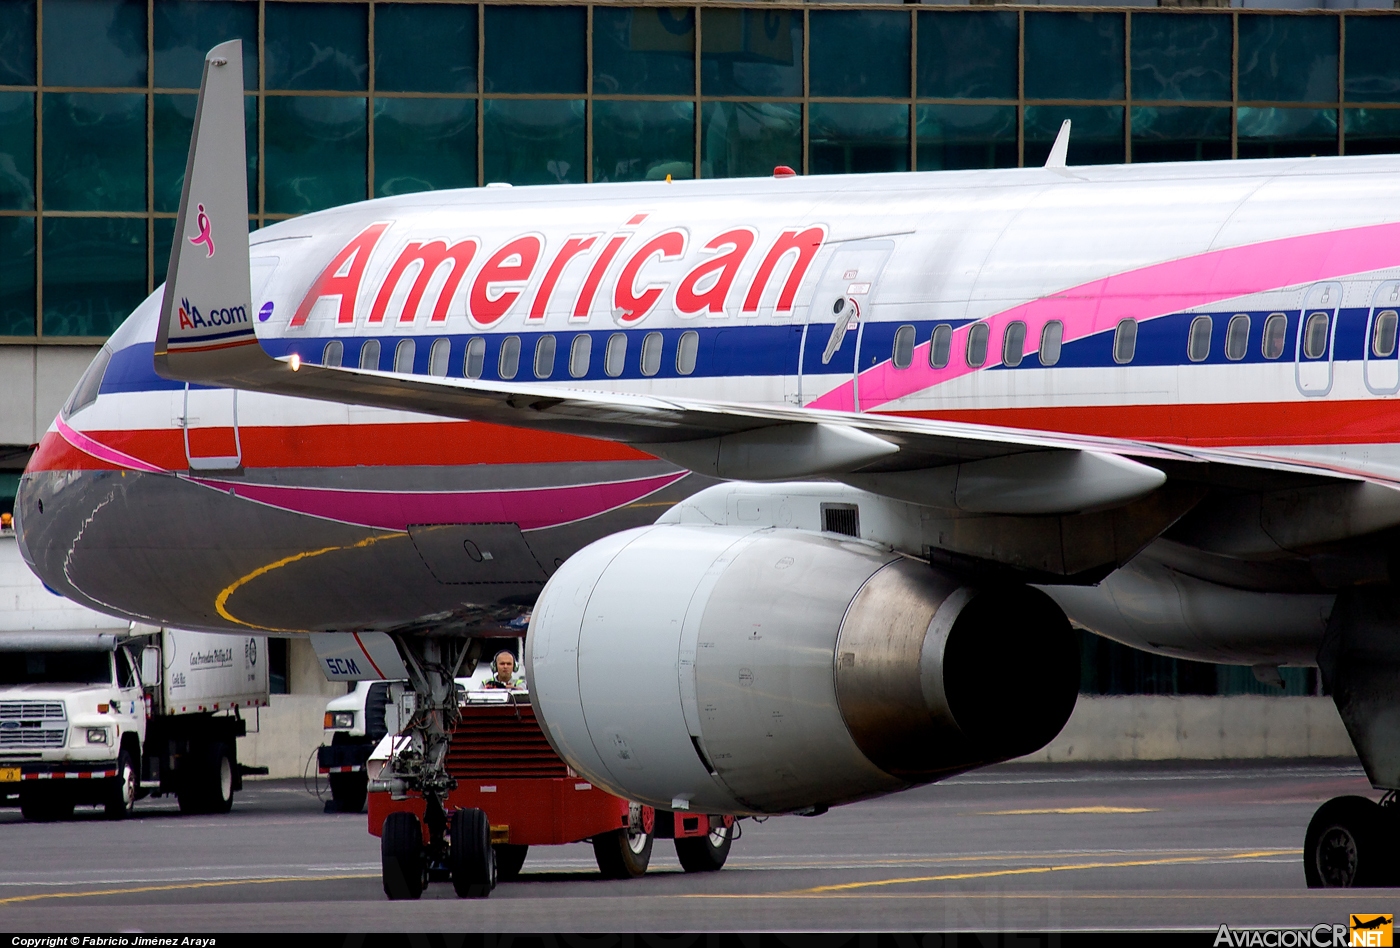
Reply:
x=852 y=138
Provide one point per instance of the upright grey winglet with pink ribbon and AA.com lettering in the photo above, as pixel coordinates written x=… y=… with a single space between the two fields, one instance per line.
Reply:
x=206 y=330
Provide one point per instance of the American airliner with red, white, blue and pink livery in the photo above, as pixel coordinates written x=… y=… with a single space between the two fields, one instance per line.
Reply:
x=803 y=484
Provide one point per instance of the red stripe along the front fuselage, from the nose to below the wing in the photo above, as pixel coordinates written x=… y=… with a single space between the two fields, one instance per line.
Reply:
x=346 y=446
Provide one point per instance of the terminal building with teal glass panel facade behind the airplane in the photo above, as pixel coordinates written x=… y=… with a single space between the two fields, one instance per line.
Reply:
x=359 y=99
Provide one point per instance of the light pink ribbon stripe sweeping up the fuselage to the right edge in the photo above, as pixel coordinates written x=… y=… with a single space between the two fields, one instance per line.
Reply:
x=1150 y=292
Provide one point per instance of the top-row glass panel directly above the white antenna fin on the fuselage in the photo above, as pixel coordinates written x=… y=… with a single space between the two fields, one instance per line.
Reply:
x=1074 y=57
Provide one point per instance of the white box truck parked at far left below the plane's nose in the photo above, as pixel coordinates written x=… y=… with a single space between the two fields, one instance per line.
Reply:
x=100 y=712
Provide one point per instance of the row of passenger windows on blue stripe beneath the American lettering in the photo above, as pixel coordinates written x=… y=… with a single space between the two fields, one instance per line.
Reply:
x=507 y=365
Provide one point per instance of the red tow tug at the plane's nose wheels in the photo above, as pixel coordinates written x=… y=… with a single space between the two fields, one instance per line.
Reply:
x=513 y=792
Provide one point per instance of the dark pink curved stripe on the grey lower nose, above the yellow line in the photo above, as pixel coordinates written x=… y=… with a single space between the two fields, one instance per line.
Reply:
x=531 y=508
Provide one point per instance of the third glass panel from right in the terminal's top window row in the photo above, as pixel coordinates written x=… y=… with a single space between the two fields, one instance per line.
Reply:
x=1181 y=57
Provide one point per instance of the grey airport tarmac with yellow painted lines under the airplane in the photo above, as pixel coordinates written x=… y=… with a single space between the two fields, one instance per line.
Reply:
x=1013 y=848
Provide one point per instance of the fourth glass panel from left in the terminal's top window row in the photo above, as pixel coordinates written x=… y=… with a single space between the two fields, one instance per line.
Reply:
x=317 y=47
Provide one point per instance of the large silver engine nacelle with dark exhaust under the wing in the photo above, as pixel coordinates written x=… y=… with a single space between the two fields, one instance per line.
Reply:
x=741 y=671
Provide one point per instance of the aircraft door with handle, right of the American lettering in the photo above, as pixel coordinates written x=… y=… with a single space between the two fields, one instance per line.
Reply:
x=841 y=300
